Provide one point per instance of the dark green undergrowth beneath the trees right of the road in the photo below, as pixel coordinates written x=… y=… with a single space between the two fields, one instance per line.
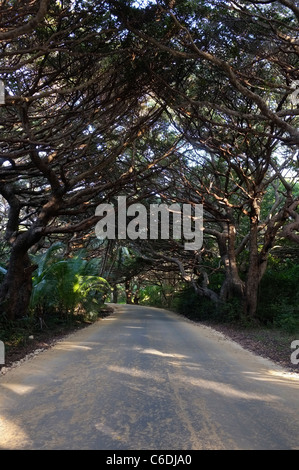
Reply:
x=278 y=305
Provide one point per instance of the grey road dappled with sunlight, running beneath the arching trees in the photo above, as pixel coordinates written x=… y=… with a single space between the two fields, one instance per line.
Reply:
x=148 y=379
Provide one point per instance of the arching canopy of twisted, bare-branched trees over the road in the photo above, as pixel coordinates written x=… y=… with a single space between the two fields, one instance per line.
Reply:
x=187 y=102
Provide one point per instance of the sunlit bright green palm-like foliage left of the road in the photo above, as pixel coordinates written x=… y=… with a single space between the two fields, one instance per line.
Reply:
x=67 y=286
